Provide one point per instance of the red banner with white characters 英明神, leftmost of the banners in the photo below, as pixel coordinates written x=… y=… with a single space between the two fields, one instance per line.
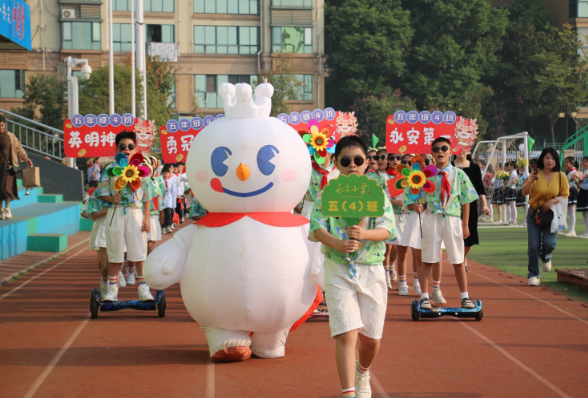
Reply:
x=94 y=136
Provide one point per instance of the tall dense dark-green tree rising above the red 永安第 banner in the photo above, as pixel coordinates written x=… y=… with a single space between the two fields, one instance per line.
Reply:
x=454 y=47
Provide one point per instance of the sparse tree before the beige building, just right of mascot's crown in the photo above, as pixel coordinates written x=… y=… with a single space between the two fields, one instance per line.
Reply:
x=286 y=85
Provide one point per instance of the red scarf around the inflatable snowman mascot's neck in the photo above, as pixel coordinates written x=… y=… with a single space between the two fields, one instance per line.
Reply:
x=276 y=219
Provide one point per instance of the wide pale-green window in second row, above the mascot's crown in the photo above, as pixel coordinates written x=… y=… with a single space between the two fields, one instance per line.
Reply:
x=226 y=40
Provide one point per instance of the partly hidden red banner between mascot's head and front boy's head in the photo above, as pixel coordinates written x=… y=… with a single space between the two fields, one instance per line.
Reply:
x=341 y=124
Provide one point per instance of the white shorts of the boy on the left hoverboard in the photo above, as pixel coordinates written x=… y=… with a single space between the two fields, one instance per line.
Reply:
x=126 y=231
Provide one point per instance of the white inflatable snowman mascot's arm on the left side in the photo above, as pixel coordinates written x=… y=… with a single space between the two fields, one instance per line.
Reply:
x=164 y=267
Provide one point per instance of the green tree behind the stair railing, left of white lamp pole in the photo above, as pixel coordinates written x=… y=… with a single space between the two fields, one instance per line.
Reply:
x=44 y=101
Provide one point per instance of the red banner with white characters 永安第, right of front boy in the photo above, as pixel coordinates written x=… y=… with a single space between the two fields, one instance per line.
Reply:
x=413 y=132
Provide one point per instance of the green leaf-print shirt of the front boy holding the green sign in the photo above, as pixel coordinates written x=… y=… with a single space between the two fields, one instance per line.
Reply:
x=369 y=253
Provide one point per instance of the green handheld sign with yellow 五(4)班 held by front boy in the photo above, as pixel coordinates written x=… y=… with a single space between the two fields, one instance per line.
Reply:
x=353 y=198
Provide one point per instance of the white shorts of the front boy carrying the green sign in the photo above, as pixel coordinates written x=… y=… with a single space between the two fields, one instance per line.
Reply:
x=359 y=303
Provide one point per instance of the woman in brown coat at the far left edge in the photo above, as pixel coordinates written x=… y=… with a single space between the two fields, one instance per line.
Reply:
x=12 y=153
